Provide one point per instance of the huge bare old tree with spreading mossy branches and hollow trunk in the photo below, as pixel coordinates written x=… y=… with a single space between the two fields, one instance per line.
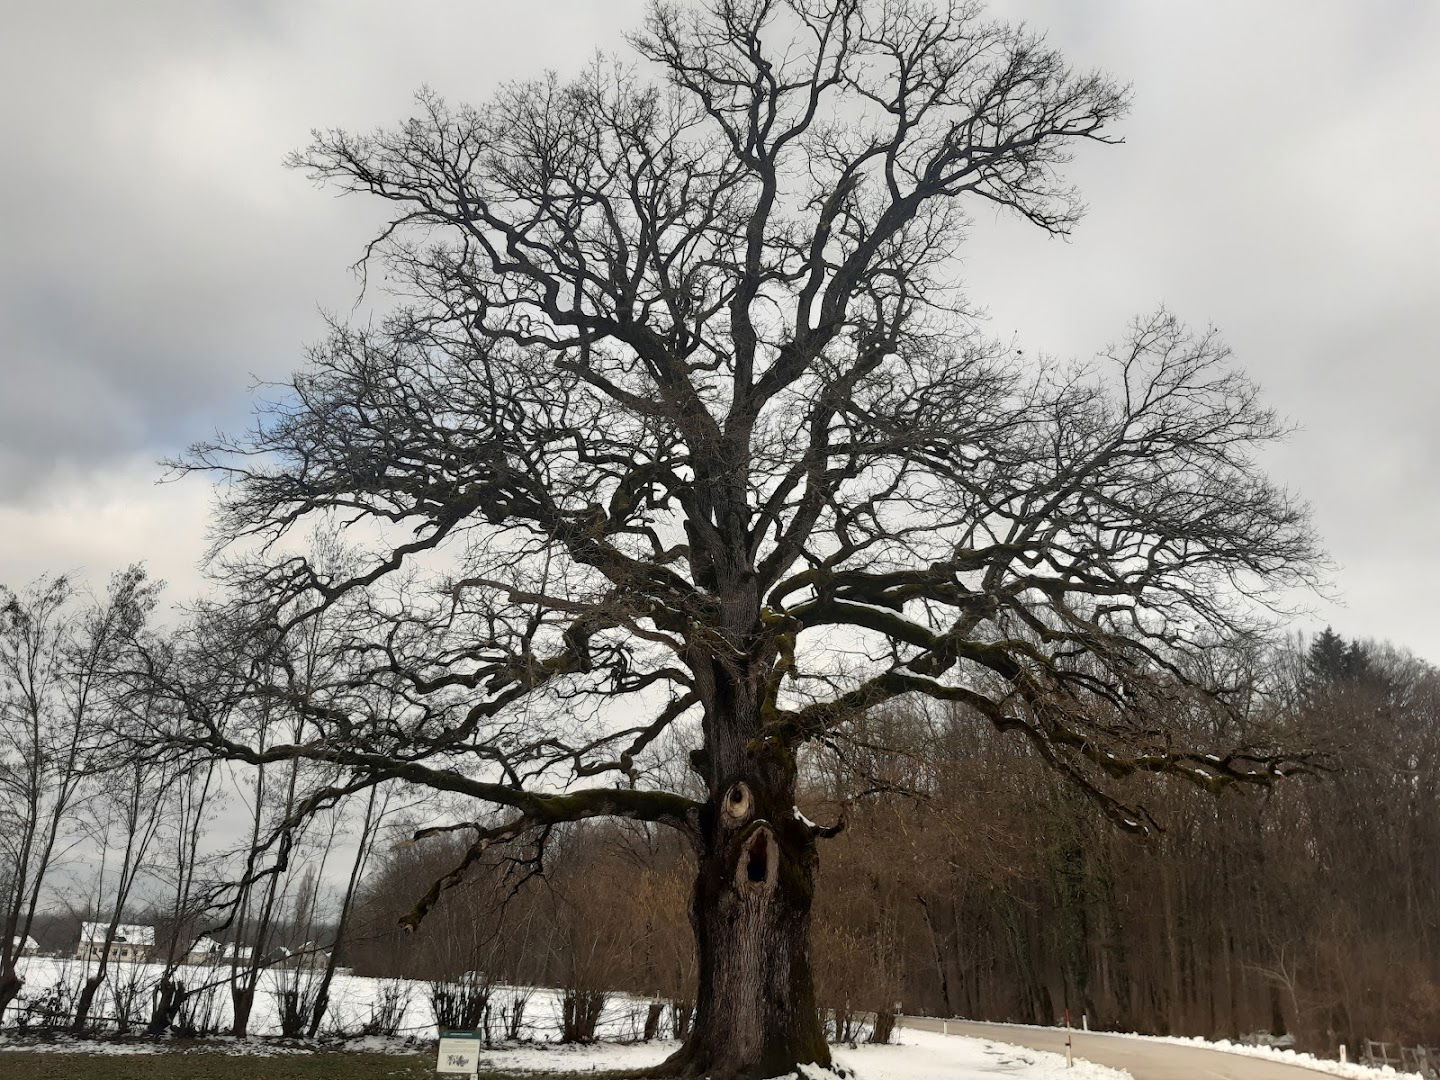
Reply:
x=682 y=426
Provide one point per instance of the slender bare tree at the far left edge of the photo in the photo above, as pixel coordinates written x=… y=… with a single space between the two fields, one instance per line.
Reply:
x=58 y=653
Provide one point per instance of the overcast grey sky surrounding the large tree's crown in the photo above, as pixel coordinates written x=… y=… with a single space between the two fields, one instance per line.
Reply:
x=1279 y=181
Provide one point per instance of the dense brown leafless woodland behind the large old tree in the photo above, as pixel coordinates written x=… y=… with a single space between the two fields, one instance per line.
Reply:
x=973 y=882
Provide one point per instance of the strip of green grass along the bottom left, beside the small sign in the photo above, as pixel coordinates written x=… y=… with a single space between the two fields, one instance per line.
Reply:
x=21 y=1065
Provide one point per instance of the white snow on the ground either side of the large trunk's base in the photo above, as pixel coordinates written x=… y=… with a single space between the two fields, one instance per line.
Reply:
x=915 y=1056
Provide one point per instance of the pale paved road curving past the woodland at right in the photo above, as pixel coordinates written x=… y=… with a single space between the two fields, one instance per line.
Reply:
x=1143 y=1059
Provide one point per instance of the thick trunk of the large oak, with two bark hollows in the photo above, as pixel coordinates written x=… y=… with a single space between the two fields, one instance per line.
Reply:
x=755 y=1007
